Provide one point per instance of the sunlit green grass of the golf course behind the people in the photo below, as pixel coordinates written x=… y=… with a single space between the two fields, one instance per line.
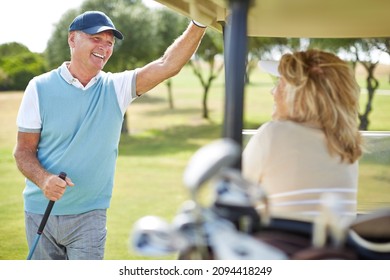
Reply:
x=152 y=158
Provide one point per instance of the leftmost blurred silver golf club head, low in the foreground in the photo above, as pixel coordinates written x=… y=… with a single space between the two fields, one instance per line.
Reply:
x=152 y=236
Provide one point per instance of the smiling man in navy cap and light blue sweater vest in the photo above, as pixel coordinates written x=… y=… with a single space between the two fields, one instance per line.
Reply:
x=70 y=120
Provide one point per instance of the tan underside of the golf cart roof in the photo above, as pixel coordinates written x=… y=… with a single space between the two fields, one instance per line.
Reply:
x=296 y=18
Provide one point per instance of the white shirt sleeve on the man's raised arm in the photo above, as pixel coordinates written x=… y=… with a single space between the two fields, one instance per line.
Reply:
x=125 y=88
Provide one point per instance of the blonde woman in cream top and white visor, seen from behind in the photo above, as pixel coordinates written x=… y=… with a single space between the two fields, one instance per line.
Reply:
x=312 y=145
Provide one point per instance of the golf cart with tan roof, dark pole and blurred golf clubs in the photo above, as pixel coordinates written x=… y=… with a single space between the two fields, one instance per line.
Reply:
x=233 y=228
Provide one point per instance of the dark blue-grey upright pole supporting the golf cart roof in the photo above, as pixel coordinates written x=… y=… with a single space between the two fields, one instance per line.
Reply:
x=235 y=64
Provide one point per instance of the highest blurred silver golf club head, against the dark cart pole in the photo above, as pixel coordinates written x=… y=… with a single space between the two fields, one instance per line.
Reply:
x=208 y=160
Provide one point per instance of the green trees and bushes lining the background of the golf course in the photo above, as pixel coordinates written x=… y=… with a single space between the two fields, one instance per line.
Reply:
x=149 y=31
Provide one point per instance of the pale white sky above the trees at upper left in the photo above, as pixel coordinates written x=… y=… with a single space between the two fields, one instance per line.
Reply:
x=31 y=22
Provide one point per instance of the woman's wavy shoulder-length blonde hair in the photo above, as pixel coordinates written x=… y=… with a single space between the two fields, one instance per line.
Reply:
x=321 y=89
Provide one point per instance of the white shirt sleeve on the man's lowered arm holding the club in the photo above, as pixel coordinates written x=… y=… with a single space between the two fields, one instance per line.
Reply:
x=28 y=118
